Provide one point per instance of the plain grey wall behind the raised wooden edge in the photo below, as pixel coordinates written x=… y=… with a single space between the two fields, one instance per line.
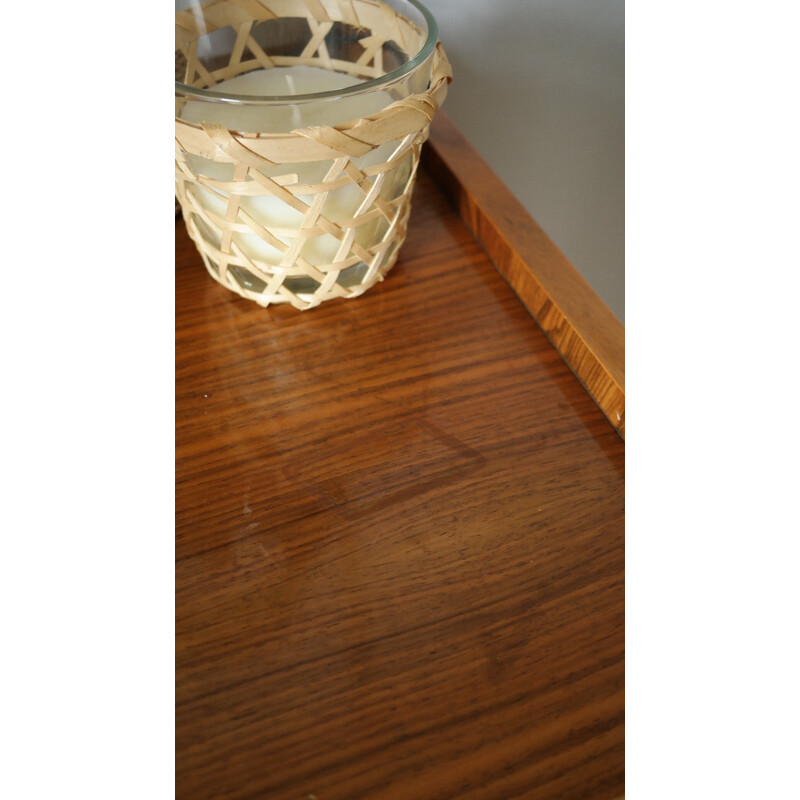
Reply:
x=539 y=91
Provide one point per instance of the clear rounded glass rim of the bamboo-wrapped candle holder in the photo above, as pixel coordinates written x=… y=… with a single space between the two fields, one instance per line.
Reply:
x=374 y=83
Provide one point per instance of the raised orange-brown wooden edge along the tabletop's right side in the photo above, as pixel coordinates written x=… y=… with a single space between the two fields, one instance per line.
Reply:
x=590 y=339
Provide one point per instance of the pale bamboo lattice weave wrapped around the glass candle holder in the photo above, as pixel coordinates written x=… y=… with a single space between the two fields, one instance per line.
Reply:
x=222 y=174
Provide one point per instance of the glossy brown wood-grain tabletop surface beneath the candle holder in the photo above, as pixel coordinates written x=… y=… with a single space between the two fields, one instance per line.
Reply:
x=399 y=542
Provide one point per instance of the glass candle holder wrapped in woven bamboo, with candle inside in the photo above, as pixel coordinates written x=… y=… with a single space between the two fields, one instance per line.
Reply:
x=298 y=131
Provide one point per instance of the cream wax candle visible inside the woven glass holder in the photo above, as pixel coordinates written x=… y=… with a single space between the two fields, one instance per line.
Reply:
x=340 y=205
